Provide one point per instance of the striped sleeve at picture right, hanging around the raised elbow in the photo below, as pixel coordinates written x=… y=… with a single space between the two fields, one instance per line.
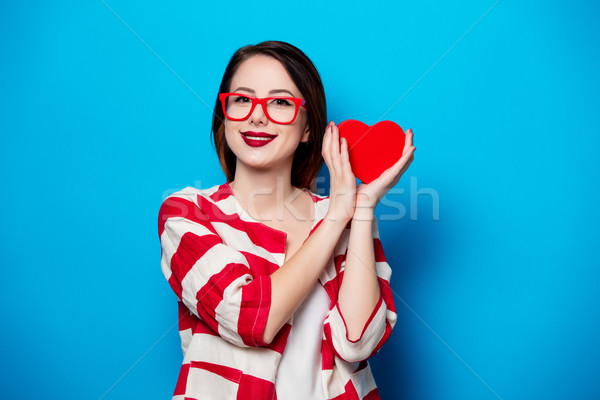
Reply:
x=378 y=327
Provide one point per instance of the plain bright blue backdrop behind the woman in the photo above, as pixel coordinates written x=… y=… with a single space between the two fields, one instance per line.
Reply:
x=104 y=112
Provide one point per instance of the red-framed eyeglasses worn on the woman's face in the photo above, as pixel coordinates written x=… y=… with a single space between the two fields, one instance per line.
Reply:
x=281 y=110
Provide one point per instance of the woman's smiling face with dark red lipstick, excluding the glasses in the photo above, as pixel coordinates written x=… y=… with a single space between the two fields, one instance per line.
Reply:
x=262 y=76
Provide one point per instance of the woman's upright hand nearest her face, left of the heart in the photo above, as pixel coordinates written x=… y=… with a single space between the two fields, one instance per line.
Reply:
x=342 y=181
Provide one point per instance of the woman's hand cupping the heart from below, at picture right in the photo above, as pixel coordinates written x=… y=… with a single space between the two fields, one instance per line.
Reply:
x=368 y=195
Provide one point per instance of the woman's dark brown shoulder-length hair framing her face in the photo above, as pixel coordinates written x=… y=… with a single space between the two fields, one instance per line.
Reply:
x=308 y=159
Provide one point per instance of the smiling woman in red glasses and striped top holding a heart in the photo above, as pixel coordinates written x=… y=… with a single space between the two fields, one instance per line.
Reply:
x=282 y=293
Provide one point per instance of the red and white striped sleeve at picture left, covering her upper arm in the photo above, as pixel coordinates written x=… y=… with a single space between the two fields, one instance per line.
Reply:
x=213 y=280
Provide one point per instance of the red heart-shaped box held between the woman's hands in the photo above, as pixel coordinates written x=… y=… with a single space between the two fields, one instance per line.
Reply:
x=373 y=149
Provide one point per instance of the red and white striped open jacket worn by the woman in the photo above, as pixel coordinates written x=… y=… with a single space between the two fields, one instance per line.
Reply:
x=218 y=261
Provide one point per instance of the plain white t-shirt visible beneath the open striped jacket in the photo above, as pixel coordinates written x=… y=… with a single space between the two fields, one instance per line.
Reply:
x=299 y=373
